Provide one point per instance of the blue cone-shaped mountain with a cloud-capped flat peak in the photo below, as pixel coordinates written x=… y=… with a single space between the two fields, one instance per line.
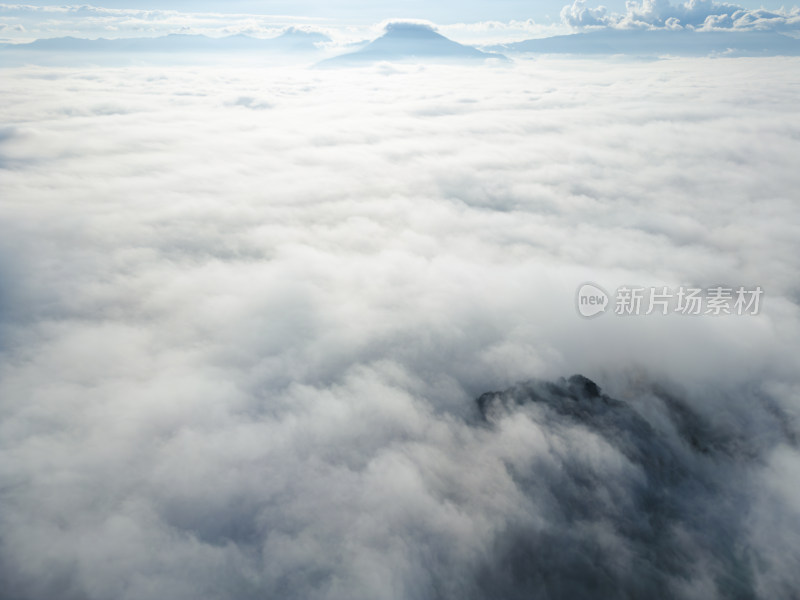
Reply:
x=404 y=41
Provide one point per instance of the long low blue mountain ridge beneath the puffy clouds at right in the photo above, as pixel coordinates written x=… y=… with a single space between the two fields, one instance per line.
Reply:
x=682 y=42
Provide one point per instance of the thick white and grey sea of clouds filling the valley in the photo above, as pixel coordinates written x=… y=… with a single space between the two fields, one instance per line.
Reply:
x=245 y=316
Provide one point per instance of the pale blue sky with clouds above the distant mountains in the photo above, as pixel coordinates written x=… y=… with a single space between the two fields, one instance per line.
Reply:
x=477 y=22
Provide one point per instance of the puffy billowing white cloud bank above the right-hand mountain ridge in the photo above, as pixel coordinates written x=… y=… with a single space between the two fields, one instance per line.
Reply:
x=694 y=14
